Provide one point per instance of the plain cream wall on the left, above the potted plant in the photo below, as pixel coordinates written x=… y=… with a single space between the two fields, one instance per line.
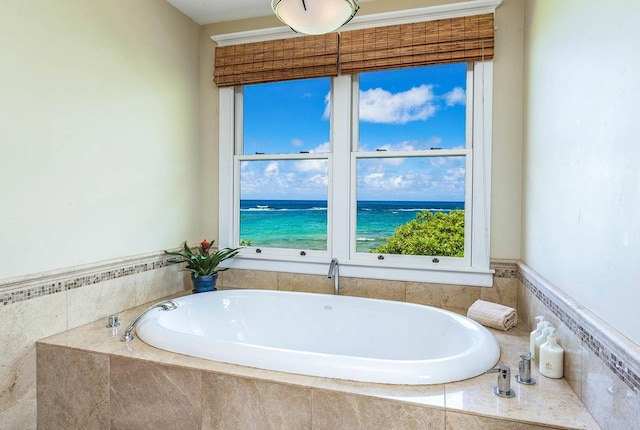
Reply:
x=98 y=131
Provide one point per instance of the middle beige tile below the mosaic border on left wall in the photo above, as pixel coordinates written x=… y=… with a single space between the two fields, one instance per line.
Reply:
x=97 y=301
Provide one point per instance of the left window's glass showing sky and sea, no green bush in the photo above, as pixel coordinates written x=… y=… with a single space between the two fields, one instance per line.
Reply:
x=282 y=171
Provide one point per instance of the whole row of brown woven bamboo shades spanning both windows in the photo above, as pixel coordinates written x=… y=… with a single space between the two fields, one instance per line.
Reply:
x=451 y=40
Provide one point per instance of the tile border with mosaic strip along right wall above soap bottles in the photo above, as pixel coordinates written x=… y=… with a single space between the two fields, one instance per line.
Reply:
x=617 y=352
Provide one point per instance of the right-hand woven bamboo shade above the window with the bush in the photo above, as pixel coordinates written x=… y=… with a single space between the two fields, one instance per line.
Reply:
x=443 y=41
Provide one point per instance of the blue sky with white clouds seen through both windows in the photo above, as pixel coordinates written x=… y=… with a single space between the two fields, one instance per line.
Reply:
x=399 y=110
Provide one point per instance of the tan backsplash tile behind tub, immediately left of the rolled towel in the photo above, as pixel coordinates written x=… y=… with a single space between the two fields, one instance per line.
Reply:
x=442 y=295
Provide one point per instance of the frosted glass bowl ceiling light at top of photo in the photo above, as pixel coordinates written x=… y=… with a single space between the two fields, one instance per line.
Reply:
x=315 y=16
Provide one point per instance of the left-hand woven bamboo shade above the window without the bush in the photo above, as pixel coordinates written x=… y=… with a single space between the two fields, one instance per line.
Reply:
x=277 y=60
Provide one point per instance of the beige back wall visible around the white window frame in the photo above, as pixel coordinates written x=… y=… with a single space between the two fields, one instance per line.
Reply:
x=507 y=127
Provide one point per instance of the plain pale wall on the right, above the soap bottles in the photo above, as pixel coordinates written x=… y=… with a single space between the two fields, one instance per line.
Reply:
x=581 y=185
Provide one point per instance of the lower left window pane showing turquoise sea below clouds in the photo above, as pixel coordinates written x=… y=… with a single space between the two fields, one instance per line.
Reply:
x=283 y=204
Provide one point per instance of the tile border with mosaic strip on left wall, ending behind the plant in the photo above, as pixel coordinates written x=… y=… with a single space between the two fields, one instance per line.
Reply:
x=68 y=280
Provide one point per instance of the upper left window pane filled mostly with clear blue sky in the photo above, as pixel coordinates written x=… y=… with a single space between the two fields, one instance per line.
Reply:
x=286 y=117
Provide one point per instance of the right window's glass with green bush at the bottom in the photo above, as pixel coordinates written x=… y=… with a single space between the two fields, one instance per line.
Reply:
x=410 y=163
